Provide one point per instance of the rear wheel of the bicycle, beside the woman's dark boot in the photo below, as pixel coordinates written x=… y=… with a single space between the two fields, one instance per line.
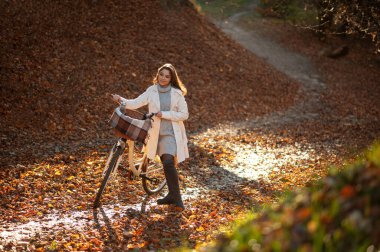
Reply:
x=152 y=176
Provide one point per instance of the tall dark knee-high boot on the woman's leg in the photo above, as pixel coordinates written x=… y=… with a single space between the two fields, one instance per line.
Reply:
x=174 y=195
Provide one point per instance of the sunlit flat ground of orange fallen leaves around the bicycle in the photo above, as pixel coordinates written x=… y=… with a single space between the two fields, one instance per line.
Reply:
x=49 y=205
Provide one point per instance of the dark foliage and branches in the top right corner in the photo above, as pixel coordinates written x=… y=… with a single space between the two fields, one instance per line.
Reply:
x=334 y=16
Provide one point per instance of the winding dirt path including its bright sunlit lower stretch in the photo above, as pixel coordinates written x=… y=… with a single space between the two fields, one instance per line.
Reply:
x=253 y=161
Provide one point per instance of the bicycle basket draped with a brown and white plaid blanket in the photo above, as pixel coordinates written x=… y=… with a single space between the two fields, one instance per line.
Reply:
x=132 y=125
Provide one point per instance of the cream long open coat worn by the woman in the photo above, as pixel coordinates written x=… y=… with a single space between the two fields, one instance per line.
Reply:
x=177 y=114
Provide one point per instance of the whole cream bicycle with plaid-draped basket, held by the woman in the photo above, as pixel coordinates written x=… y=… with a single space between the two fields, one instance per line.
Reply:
x=131 y=127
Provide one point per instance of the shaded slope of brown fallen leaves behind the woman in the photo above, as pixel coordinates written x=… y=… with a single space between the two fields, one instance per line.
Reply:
x=61 y=60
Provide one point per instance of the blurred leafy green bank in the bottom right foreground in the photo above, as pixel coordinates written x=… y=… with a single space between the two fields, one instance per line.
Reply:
x=339 y=214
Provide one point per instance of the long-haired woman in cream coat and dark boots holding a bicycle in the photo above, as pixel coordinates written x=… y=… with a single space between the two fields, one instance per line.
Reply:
x=167 y=137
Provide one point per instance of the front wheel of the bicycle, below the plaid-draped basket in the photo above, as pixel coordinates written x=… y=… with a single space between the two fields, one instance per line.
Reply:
x=111 y=164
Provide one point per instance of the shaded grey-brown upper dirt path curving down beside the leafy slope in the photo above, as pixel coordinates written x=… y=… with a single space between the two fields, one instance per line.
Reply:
x=308 y=104
